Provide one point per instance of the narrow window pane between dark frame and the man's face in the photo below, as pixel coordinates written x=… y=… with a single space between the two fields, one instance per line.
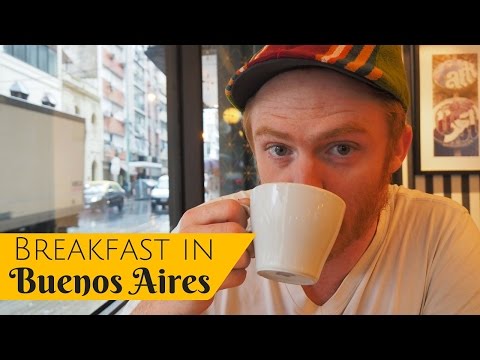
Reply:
x=229 y=165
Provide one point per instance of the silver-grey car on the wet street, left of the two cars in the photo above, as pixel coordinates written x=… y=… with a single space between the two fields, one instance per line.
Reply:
x=102 y=194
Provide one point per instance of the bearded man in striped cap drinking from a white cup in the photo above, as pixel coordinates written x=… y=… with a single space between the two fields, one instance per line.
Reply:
x=335 y=117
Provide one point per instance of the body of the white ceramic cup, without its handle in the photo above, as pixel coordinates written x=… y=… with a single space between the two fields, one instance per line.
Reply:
x=295 y=227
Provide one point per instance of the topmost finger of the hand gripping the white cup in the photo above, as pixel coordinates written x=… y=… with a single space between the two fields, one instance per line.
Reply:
x=227 y=210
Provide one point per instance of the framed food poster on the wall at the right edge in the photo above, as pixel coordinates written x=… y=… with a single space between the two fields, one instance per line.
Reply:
x=447 y=95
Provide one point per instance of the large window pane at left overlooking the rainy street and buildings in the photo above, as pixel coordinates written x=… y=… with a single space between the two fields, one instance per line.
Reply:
x=120 y=135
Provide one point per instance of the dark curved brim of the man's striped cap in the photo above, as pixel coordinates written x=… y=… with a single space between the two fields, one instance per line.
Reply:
x=253 y=78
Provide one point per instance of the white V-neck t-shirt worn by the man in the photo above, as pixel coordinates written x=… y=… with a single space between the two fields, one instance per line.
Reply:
x=424 y=259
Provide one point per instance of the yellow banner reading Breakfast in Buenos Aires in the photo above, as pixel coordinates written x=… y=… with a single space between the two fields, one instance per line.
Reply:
x=116 y=266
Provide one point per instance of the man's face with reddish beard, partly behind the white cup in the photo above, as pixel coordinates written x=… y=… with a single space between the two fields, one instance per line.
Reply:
x=324 y=129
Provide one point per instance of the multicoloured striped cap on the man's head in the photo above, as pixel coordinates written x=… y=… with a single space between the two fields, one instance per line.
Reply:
x=378 y=65
